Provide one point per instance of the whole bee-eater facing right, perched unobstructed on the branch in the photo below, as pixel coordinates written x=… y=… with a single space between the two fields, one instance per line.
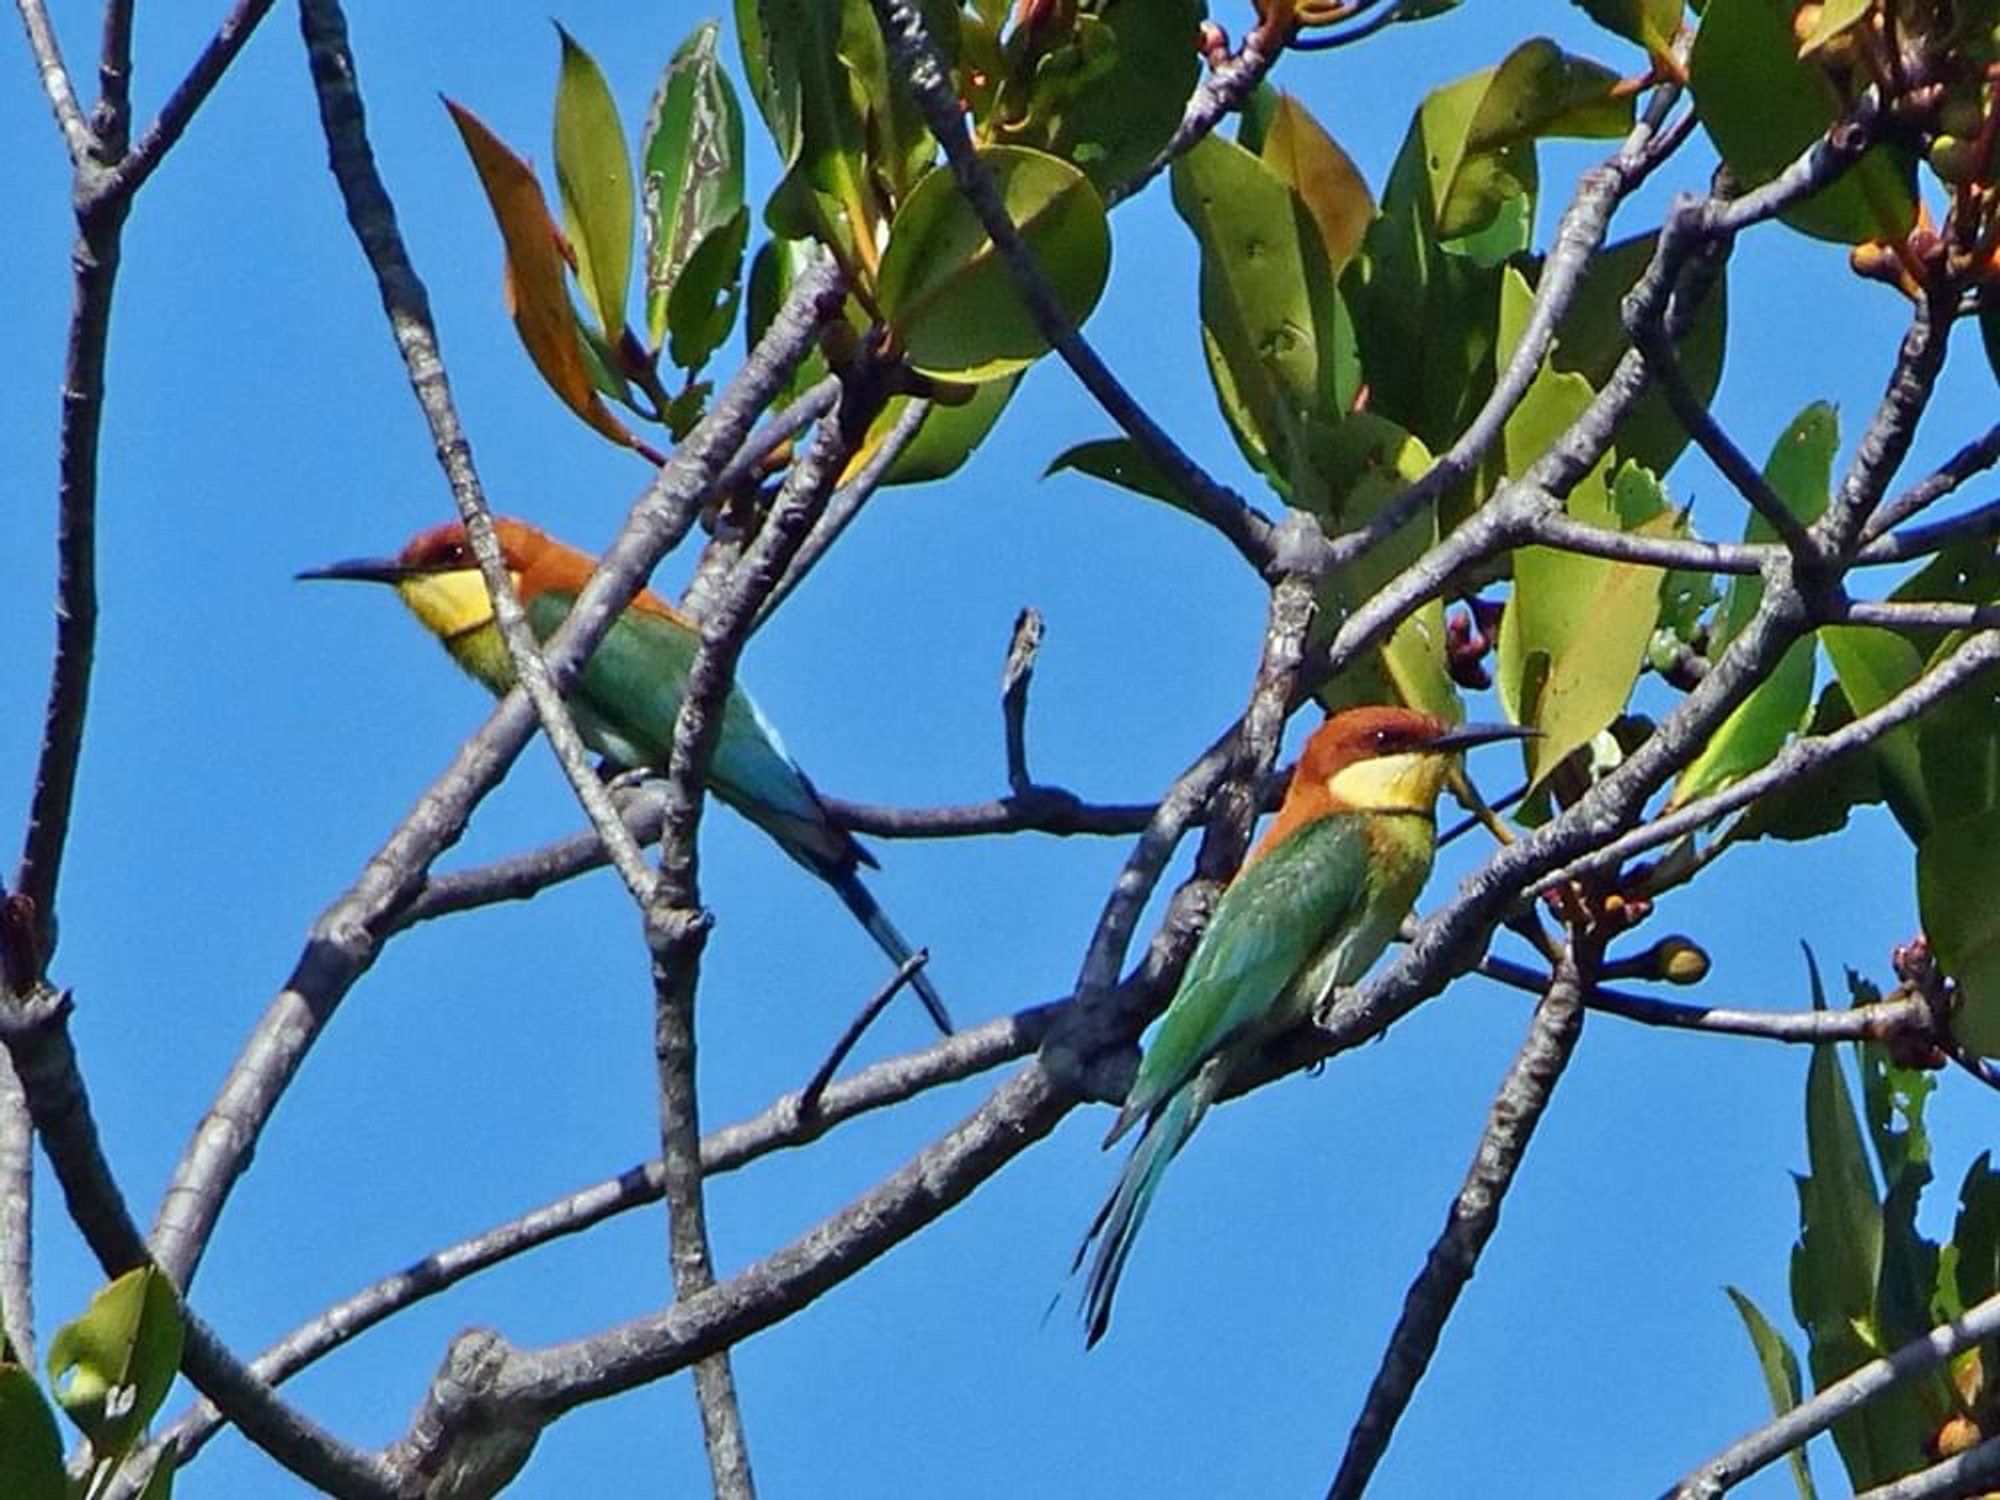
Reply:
x=1311 y=909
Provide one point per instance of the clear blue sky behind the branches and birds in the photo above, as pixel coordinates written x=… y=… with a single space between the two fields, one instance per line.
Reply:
x=253 y=741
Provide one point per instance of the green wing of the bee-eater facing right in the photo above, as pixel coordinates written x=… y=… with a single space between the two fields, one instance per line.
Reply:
x=1273 y=921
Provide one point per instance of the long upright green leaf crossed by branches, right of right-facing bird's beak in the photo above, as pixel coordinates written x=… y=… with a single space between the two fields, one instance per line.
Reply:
x=1801 y=473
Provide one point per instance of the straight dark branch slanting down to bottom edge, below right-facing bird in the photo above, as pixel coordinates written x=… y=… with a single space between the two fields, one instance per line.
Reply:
x=1475 y=1215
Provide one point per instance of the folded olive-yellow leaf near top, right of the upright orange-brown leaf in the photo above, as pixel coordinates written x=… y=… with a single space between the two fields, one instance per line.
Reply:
x=1479 y=133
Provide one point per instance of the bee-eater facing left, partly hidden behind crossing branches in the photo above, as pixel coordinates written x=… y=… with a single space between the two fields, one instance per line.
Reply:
x=629 y=695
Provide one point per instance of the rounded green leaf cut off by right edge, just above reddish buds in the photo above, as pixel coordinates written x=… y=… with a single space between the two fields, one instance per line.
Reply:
x=1957 y=875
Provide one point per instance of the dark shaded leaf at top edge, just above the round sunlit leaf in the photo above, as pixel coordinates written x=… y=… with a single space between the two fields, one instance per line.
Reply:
x=1111 y=93
